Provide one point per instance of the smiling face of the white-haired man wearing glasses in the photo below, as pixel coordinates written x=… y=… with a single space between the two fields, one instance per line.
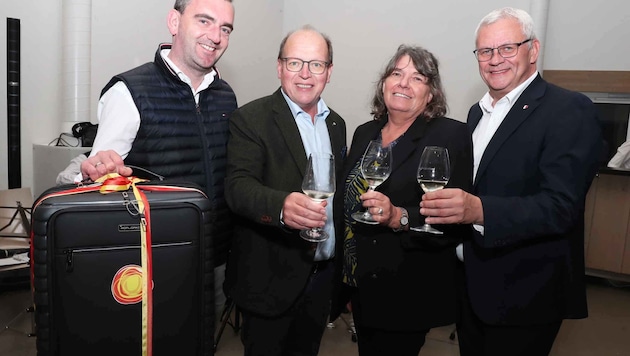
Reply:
x=502 y=75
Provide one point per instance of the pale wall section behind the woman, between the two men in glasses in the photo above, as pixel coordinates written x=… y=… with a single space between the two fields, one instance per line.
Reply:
x=365 y=37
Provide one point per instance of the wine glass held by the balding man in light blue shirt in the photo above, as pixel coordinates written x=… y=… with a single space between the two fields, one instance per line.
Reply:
x=319 y=185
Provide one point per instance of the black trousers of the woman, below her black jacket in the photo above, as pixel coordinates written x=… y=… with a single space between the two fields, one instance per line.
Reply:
x=383 y=340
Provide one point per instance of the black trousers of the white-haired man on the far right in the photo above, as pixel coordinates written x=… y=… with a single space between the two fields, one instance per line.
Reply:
x=477 y=338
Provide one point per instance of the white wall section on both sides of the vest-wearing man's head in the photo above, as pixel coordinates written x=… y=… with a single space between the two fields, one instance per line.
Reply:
x=248 y=65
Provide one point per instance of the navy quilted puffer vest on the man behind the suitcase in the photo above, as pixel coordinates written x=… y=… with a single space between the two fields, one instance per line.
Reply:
x=181 y=140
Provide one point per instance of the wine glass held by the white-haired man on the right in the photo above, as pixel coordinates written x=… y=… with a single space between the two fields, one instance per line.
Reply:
x=434 y=171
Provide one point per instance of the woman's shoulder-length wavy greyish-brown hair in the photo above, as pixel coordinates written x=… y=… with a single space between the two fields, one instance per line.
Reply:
x=427 y=65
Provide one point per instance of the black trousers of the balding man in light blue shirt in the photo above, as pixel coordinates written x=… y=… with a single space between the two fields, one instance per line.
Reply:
x=298 y=331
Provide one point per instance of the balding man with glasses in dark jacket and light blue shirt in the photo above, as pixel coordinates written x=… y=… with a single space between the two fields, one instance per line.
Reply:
x=282 y=283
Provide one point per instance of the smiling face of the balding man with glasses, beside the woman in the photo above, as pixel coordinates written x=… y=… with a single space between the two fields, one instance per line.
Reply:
x=304 y=88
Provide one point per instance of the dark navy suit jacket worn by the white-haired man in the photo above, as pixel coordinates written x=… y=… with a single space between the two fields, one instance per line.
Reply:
x=528 y=268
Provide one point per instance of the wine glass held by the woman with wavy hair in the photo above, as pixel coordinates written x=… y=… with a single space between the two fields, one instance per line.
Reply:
x=376 y=166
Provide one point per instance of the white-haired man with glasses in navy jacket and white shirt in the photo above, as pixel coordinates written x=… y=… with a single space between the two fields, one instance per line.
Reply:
x=536 y=149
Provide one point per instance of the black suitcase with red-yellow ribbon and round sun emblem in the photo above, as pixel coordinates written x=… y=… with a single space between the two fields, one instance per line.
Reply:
x=88 y=279
